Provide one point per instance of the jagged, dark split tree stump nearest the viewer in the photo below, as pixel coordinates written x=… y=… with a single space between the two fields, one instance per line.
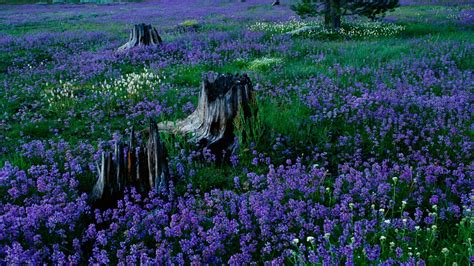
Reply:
x=144 y=167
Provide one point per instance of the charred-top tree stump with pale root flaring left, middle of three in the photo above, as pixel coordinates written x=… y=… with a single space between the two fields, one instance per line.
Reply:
x=211 y=125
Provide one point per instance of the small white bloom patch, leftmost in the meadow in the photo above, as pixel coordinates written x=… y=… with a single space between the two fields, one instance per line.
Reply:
x=60 y=94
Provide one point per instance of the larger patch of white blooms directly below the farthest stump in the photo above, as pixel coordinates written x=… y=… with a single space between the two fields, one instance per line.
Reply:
x=129 y=85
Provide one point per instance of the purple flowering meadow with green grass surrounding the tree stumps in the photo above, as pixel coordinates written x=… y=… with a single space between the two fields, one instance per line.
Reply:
x=361 y=151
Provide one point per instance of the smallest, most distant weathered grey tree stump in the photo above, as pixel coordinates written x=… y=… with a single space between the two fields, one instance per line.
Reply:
x=142 y=35
